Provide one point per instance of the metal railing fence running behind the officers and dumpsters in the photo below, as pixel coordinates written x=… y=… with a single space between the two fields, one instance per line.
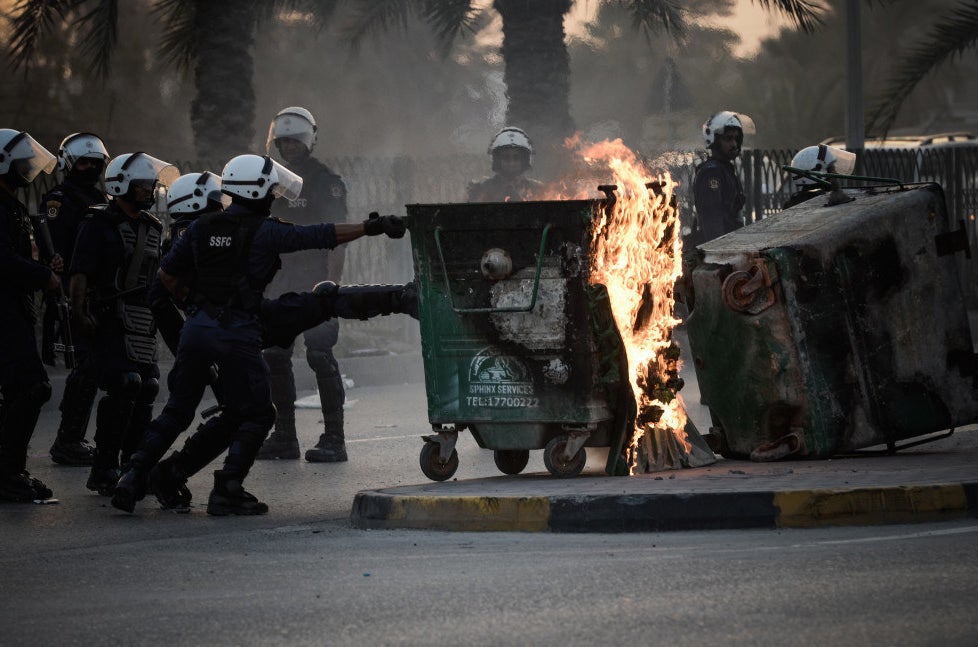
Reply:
x=388 y=184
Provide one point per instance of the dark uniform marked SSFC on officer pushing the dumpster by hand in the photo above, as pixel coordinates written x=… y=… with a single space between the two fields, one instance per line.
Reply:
x=224 y=329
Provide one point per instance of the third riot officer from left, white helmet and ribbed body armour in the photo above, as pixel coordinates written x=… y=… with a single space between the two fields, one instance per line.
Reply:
x=116 y=256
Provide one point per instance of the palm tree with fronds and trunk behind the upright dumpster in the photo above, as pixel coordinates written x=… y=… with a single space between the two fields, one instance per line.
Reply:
x=534 y=49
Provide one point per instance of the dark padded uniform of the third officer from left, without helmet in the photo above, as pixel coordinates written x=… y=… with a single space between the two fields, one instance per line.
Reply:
x=118 y=255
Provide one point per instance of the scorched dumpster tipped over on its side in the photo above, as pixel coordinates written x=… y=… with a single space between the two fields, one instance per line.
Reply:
x=836 y=325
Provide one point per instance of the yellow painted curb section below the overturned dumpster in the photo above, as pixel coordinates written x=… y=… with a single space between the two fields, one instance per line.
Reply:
x=903 y=504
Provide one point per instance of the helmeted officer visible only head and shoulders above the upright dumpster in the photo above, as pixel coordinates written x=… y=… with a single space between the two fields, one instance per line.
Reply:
x=512 y=156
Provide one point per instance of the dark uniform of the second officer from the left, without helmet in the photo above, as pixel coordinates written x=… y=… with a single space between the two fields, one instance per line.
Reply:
x=64 y=207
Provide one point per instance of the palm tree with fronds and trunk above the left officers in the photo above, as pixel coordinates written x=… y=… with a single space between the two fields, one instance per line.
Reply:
x=214 y=38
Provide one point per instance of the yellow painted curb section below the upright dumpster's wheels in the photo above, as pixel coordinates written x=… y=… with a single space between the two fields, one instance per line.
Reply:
x=523 y=514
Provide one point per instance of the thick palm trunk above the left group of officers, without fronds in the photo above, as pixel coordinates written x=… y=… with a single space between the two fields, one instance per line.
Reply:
x=223 y=112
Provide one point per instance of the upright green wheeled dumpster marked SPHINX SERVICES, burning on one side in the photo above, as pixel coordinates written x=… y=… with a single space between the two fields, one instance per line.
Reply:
x=519 y=341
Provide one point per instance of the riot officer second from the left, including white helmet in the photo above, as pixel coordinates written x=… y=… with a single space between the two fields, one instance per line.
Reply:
x=82 y=158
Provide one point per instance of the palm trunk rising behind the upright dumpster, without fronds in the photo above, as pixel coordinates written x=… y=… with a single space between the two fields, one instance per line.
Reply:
x=537 y=73
